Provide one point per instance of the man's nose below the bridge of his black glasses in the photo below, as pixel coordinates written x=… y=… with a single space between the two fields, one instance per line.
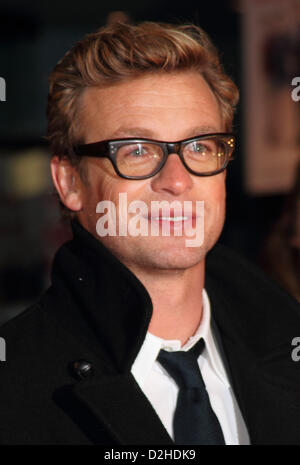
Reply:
x=173 y=177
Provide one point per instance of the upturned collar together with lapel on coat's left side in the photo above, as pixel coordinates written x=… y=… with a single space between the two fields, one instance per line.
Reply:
x=106 y=309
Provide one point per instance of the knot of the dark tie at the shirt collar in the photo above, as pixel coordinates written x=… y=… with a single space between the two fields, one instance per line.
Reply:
x=183 y=366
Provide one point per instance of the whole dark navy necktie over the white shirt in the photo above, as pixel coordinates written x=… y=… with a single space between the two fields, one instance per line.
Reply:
x=194 y=420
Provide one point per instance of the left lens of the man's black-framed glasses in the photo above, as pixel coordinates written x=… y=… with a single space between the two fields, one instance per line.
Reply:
x=138 y=159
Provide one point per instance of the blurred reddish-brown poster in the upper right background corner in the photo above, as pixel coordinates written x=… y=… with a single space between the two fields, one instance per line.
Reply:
x=272 y=117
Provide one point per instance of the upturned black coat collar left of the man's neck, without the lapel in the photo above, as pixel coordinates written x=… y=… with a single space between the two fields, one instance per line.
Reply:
x=103 y=294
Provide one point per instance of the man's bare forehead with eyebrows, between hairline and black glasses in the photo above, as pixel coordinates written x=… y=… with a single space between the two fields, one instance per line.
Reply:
x=162 y=106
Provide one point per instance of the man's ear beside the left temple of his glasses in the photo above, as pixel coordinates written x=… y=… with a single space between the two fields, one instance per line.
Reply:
x=67 y=183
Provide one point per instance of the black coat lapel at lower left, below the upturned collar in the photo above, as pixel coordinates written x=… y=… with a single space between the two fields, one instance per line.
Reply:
x=118 y=404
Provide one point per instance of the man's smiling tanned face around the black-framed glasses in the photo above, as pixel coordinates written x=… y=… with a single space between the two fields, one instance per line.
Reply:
x=165 y=107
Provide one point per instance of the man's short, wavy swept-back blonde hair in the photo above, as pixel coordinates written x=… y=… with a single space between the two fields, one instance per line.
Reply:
x=120 y=52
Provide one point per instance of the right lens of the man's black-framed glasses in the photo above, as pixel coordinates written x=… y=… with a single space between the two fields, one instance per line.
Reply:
x=208 y=155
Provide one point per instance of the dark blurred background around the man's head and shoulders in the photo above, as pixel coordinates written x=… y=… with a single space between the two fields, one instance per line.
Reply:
x=259 y=41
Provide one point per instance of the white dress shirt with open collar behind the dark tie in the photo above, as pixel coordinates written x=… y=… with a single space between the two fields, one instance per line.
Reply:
x=161 y=390
